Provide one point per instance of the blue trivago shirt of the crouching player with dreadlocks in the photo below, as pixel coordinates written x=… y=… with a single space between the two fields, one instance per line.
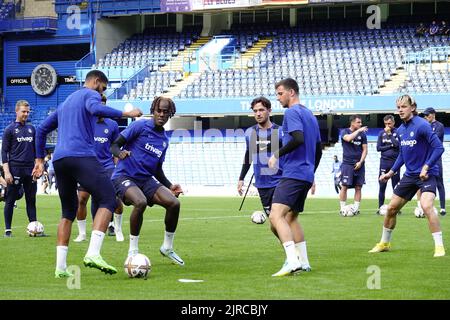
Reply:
x=148 y=150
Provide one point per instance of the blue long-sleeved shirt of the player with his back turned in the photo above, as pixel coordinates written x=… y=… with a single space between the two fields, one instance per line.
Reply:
x=75 y=119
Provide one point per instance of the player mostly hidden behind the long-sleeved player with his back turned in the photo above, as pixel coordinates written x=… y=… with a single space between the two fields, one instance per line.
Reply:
x=106 y=131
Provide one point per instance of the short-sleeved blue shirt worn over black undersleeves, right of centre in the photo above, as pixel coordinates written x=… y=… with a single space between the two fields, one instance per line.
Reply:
x=299 y=164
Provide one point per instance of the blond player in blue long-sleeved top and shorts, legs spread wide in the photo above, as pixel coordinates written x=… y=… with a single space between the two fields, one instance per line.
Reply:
x=420 y=149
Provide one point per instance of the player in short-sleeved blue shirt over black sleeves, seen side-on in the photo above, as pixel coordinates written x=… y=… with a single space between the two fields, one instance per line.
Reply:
x=299 y=158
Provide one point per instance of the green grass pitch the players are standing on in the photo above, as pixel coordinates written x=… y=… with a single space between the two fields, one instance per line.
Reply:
x=234 y=257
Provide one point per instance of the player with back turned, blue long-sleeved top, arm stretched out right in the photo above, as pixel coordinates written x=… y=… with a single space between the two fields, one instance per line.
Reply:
x=75 y=162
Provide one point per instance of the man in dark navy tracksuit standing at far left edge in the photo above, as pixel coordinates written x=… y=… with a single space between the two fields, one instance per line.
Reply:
x=18 y=154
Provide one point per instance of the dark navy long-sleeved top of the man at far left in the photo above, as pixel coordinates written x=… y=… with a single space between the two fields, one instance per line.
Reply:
x=18 y=149
